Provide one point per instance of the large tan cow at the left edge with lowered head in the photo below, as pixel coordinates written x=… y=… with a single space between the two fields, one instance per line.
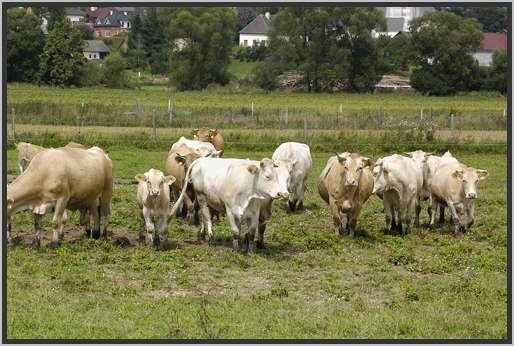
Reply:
x=64 y=178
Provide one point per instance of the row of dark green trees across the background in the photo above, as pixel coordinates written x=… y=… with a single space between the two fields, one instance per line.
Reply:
x=328 y=46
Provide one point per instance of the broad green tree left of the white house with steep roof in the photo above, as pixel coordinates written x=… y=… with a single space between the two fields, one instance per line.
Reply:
x=200 y=43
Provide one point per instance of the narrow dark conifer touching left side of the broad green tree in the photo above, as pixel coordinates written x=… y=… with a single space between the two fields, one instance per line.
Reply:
x=154 y=42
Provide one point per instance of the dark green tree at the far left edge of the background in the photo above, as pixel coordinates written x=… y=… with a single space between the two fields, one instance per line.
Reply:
x=25 y=41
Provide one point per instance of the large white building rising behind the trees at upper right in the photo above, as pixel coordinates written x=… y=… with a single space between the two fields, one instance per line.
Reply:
x=398 y=18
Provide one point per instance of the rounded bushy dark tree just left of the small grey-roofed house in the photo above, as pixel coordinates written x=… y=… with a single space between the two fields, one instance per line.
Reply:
x=62 y=57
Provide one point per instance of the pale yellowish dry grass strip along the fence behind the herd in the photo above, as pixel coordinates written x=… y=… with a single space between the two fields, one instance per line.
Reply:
x=171 y=133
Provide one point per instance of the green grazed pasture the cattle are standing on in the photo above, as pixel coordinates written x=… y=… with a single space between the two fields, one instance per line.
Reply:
x=308 y=283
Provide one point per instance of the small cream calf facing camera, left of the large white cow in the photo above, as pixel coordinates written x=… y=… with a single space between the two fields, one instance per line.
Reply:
x=153 y=200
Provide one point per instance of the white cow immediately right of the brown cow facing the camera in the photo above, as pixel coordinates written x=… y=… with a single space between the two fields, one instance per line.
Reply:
x=396 y=179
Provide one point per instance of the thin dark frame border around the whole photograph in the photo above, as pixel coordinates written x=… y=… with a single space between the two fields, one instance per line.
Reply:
x=6 y=340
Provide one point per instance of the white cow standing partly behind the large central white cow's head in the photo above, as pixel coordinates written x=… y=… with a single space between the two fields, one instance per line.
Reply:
x=297 y=158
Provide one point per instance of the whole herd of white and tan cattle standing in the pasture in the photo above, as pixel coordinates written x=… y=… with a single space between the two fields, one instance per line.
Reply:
x=204 y=185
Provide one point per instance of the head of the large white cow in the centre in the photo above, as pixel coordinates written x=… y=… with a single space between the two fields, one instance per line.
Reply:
x=272 y=178
